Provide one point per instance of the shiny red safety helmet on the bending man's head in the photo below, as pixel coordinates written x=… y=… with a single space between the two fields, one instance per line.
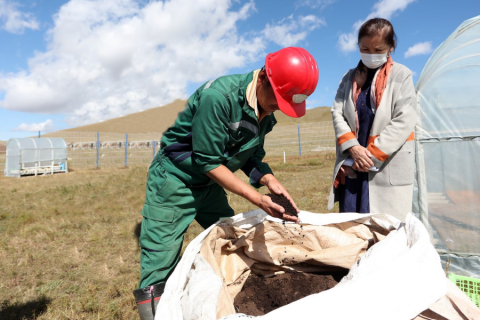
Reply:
x=293 y=74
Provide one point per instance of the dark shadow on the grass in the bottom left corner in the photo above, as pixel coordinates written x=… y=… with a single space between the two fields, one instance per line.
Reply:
x=28 y=310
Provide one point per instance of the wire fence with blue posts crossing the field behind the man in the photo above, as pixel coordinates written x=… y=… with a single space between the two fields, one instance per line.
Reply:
x=102 y=149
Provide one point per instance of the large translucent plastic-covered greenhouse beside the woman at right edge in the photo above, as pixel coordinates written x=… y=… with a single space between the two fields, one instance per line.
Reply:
x=447 y=189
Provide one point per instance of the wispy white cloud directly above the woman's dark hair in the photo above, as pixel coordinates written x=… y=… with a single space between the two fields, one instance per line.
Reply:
x=347 y=42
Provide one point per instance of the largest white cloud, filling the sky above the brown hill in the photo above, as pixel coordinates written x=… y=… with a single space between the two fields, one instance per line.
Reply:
x=111 y=57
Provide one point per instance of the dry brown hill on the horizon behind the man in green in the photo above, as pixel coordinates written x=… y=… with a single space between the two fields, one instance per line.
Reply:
x=160 y=118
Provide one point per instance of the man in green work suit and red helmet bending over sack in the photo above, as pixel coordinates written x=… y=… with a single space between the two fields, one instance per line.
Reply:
x=221 y=130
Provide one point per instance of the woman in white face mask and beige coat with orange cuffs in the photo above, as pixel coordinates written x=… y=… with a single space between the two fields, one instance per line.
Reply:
x=374 y=118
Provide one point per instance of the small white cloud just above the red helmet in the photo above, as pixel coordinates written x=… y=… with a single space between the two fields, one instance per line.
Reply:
x=289 y=31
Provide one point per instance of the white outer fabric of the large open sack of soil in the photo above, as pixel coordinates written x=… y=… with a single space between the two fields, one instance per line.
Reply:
x=397 y=278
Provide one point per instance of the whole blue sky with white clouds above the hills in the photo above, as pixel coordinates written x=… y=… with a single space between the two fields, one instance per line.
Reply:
x=68 y=63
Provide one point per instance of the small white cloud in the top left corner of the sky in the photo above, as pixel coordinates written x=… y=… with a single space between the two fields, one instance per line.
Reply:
x=15 y=21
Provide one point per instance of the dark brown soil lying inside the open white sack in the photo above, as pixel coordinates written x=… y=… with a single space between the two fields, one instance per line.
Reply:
x=261 y=295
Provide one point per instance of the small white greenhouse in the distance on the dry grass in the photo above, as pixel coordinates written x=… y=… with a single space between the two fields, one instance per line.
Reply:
x=34 y=156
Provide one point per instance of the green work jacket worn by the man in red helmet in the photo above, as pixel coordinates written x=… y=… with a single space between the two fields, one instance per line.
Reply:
x=217 y=127
